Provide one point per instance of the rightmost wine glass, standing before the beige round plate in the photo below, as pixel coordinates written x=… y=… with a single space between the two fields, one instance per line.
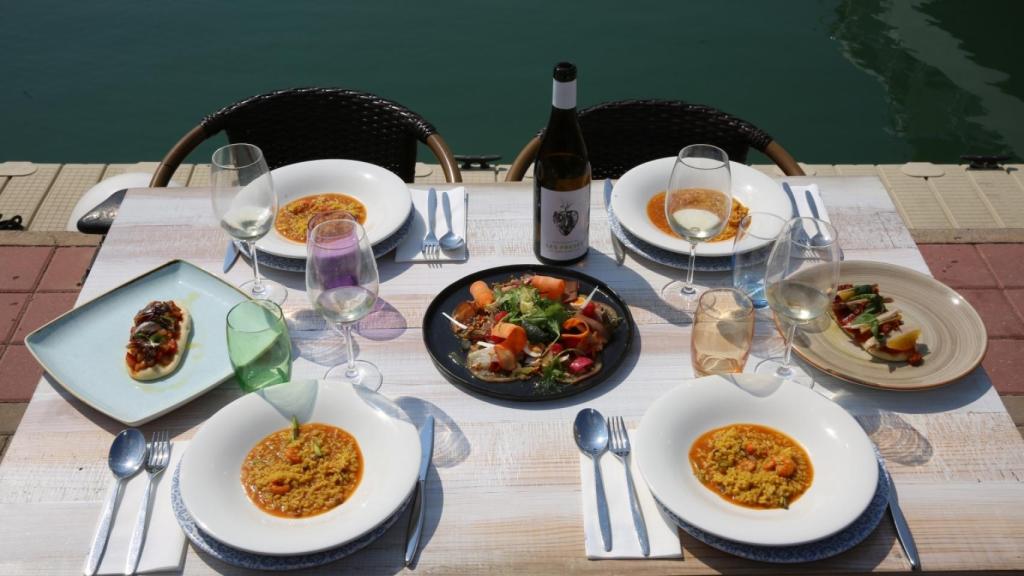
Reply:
x=800 y=281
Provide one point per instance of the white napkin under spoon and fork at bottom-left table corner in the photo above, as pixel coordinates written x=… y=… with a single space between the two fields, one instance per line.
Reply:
x=164 y=550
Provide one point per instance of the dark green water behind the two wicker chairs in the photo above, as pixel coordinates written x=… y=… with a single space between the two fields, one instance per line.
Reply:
x=835 y=81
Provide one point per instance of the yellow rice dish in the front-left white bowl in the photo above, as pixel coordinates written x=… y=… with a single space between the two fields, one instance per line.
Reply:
x=303 y=471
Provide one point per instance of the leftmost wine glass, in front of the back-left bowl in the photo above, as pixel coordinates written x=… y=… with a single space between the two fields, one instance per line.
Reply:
x=244 y=201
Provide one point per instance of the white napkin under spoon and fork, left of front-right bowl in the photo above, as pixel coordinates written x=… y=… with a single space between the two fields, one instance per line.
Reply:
x=662 y=533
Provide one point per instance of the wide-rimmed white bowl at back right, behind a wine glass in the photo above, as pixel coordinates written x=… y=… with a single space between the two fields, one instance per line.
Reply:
x=632 y=193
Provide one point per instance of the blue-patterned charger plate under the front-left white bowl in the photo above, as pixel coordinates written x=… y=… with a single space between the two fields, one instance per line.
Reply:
x=251 y=561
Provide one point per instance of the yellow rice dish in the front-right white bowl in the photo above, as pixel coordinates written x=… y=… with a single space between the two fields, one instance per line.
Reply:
x=752 y=466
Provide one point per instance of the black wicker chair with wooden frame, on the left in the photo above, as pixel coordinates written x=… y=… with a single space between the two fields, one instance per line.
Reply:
x=306 y=125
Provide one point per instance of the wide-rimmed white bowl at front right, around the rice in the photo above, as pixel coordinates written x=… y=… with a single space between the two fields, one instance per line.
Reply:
x=846 y=472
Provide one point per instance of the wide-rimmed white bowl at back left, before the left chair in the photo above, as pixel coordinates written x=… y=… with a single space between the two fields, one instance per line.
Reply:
x=381 y=191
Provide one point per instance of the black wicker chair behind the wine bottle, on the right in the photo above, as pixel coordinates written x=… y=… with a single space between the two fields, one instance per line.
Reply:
x=625 y=134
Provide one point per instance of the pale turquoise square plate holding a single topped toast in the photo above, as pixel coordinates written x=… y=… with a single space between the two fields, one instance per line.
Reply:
x=84 y=350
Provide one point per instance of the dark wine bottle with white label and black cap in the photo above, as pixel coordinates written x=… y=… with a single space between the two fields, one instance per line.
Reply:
x=562 y=180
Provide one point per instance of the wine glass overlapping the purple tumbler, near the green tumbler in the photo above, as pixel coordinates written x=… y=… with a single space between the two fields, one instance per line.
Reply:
x=343 y=285
